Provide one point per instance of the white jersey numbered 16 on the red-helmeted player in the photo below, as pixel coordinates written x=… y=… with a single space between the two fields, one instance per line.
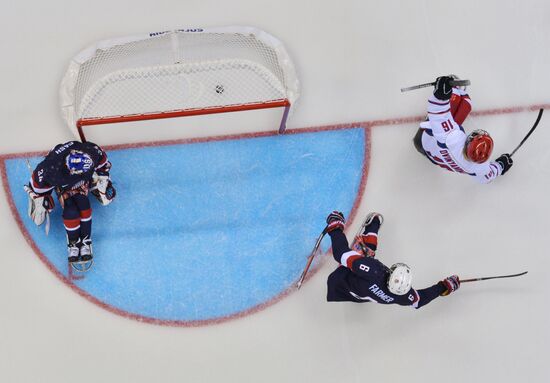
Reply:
x=444 y=139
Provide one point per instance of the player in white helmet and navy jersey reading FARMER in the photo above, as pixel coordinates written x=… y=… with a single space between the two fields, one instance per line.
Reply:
x=363 y=278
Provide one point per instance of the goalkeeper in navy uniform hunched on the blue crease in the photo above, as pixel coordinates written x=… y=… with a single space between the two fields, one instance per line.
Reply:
x=73 y=169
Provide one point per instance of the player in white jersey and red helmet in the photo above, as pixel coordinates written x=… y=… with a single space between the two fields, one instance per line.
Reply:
x=443 y=141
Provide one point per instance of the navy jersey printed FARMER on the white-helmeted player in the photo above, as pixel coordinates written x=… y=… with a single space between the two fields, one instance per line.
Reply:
x=364 y=279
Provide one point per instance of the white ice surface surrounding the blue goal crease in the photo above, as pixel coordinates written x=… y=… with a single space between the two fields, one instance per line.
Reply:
x=352 y=58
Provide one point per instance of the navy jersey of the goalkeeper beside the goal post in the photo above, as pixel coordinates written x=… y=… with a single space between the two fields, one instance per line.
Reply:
x=52 y=172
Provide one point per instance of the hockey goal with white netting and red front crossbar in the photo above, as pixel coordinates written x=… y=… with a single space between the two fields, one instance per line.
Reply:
x=177 y=73
